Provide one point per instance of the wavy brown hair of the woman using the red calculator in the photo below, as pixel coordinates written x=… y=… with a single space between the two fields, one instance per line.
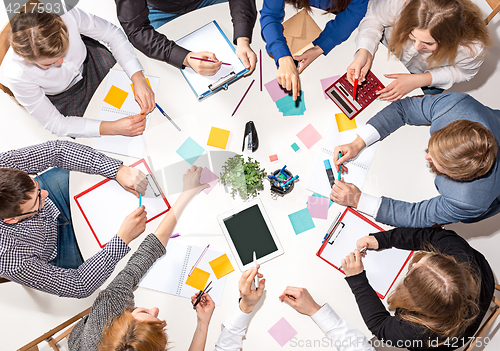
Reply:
x=450 y=22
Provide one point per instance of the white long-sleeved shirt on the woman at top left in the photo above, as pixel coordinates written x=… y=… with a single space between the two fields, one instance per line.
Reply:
x=30 y=82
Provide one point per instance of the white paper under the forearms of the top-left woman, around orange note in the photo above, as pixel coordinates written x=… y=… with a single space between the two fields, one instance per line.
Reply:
x=119 y=144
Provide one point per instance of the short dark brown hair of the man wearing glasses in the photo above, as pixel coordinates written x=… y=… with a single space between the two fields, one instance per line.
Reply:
x=15 y=189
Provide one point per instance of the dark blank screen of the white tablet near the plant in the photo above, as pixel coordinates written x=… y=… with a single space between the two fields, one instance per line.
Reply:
x=249 y=233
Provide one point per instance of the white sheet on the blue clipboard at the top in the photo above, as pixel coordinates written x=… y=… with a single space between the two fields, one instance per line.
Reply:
x=209 y=38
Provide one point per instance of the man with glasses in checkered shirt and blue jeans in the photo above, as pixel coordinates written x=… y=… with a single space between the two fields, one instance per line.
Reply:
x=38 y=248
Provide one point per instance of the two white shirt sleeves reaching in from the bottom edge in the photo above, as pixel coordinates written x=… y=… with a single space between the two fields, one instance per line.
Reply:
x=342 y=334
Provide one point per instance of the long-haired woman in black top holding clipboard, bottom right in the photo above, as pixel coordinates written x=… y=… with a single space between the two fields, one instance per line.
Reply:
x=442 y=300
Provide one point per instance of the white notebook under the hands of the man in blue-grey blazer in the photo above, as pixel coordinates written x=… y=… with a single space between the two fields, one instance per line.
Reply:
x=358 y=167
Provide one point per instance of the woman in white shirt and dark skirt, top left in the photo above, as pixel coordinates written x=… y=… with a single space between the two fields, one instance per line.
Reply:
x=55 y=64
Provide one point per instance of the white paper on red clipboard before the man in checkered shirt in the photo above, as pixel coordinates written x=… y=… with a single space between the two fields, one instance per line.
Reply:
x=107 y=206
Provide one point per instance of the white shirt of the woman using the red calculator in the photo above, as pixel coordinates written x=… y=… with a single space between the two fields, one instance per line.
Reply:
x=378 y=22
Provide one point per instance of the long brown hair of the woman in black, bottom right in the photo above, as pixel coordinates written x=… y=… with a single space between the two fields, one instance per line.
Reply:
x=441 y=294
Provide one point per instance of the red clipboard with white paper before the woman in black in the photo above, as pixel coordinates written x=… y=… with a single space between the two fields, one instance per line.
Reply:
x=402 y=256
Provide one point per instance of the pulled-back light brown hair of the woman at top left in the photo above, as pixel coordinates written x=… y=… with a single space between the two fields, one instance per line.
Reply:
x=39 y=35
